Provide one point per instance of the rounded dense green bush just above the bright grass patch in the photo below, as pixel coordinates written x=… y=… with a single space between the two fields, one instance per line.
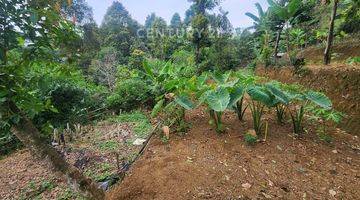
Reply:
x=130 y=94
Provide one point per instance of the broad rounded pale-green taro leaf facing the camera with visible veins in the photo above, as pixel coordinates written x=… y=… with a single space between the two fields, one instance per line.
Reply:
x=218 y=100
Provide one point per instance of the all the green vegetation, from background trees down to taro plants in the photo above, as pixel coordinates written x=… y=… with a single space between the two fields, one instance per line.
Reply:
x=59 y=67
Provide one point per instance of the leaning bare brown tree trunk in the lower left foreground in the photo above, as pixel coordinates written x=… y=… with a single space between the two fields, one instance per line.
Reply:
x=30 y=136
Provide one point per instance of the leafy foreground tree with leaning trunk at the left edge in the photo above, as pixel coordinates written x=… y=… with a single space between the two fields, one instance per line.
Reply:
x=45 y=31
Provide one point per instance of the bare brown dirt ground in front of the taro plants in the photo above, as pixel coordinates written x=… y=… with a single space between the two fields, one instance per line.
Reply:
x=203 y=165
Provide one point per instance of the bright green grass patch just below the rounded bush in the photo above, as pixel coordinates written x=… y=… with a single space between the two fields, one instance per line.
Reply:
x=142 y=125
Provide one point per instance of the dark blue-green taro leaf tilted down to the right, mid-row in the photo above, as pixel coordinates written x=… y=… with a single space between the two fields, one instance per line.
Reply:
x=260 y=94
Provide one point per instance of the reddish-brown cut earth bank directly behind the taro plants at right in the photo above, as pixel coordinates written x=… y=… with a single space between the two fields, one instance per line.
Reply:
x=340 y=82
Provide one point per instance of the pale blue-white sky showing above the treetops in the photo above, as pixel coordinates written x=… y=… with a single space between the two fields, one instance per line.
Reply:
x=139 y=9
